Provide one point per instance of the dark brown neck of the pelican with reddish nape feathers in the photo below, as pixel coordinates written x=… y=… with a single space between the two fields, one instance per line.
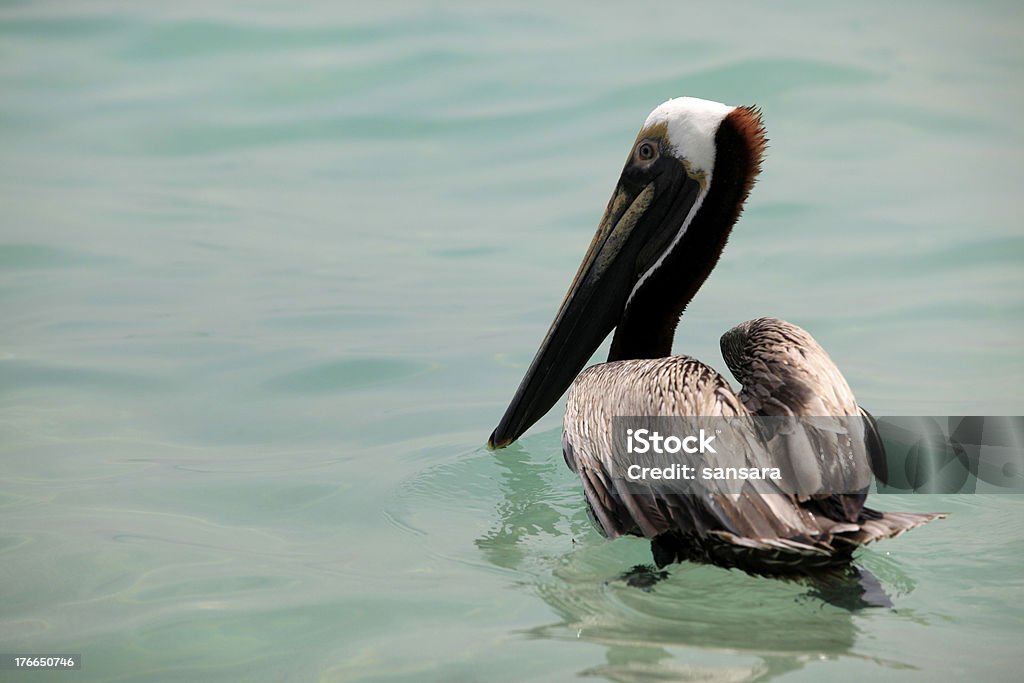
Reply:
x=649 y=324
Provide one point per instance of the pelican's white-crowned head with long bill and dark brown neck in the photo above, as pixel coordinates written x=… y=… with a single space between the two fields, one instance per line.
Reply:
x=682 y=189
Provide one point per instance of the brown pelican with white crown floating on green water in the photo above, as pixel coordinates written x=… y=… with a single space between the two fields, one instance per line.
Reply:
x=679 y=195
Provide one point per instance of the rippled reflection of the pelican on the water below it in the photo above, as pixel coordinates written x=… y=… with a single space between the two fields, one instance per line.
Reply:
x=687 y=623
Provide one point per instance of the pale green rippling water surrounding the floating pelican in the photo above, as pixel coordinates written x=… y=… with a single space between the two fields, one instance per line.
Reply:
x=270 y=274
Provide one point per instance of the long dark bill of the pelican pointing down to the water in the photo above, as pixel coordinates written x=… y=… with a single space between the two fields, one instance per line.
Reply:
x=635 y=219
